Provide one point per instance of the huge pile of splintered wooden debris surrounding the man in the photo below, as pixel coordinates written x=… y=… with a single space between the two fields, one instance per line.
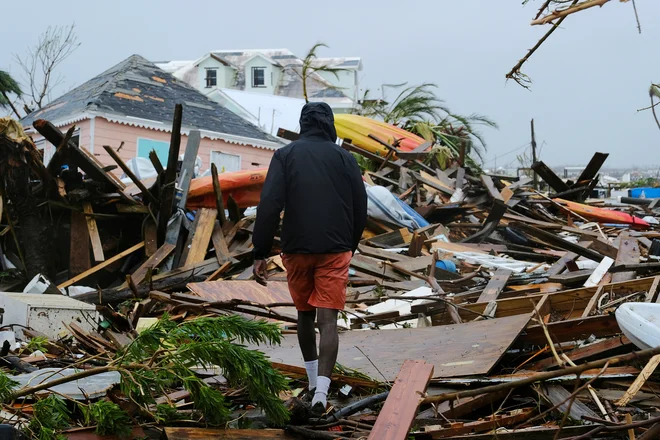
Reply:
x=496 y=317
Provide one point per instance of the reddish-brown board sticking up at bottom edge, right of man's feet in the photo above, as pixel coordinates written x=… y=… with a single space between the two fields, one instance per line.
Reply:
x=398 y=413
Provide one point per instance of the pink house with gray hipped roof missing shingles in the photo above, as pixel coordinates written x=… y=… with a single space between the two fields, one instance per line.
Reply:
x=132 y=104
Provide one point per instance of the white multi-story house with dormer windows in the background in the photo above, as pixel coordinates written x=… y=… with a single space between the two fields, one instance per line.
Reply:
x=270 y=72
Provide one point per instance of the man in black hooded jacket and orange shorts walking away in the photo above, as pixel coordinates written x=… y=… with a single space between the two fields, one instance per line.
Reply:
x=320 y=188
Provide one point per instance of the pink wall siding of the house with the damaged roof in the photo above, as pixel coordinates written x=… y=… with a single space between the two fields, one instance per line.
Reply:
x=113 y=134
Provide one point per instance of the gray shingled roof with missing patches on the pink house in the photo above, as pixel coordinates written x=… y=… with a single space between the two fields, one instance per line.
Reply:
x=136 y=88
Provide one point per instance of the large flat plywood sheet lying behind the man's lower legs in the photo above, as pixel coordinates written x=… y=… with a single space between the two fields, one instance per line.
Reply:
x=454 y=350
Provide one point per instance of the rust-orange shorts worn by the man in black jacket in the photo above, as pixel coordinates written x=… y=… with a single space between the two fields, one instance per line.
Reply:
x=317 y=280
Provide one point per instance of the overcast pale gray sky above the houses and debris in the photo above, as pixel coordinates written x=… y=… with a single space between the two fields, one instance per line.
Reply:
x=590 y=77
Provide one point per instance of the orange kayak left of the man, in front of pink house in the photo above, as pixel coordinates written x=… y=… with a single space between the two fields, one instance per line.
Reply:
x=243 y=186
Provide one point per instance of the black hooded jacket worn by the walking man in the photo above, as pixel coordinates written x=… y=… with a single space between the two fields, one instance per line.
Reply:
x=320 y=188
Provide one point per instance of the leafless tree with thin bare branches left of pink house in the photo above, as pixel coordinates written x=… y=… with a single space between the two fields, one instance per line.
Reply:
x=39 y=65
